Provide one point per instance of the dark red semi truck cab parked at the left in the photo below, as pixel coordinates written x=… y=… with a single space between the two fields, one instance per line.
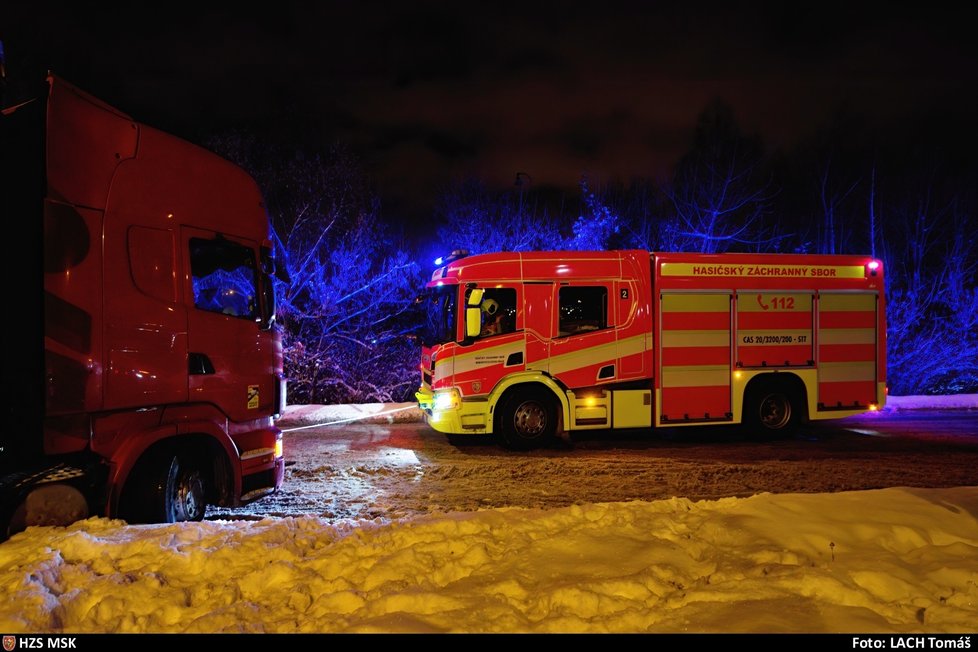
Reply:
x=161 y=369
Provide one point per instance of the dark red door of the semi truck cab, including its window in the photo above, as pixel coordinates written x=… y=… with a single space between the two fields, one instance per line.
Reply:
x=230 y=365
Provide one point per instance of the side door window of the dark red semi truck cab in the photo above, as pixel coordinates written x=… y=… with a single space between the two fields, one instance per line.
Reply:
x=223 y=277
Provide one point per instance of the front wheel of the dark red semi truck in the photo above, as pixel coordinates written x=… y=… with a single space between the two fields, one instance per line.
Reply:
x=171 y=491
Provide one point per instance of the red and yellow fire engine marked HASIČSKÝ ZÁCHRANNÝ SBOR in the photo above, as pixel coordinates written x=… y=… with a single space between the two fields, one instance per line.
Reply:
x=527 y=345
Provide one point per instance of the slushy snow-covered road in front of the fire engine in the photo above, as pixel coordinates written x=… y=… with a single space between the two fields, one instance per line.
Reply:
x=401 y=470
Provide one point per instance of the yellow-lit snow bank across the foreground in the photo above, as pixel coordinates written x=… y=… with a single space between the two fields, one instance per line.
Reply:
x=891 y=560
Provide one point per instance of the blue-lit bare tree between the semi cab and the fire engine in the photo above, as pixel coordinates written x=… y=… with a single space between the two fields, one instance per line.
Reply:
x=346 y=316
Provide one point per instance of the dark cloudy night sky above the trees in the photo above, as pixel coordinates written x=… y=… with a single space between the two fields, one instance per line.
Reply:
x=426 y=92
